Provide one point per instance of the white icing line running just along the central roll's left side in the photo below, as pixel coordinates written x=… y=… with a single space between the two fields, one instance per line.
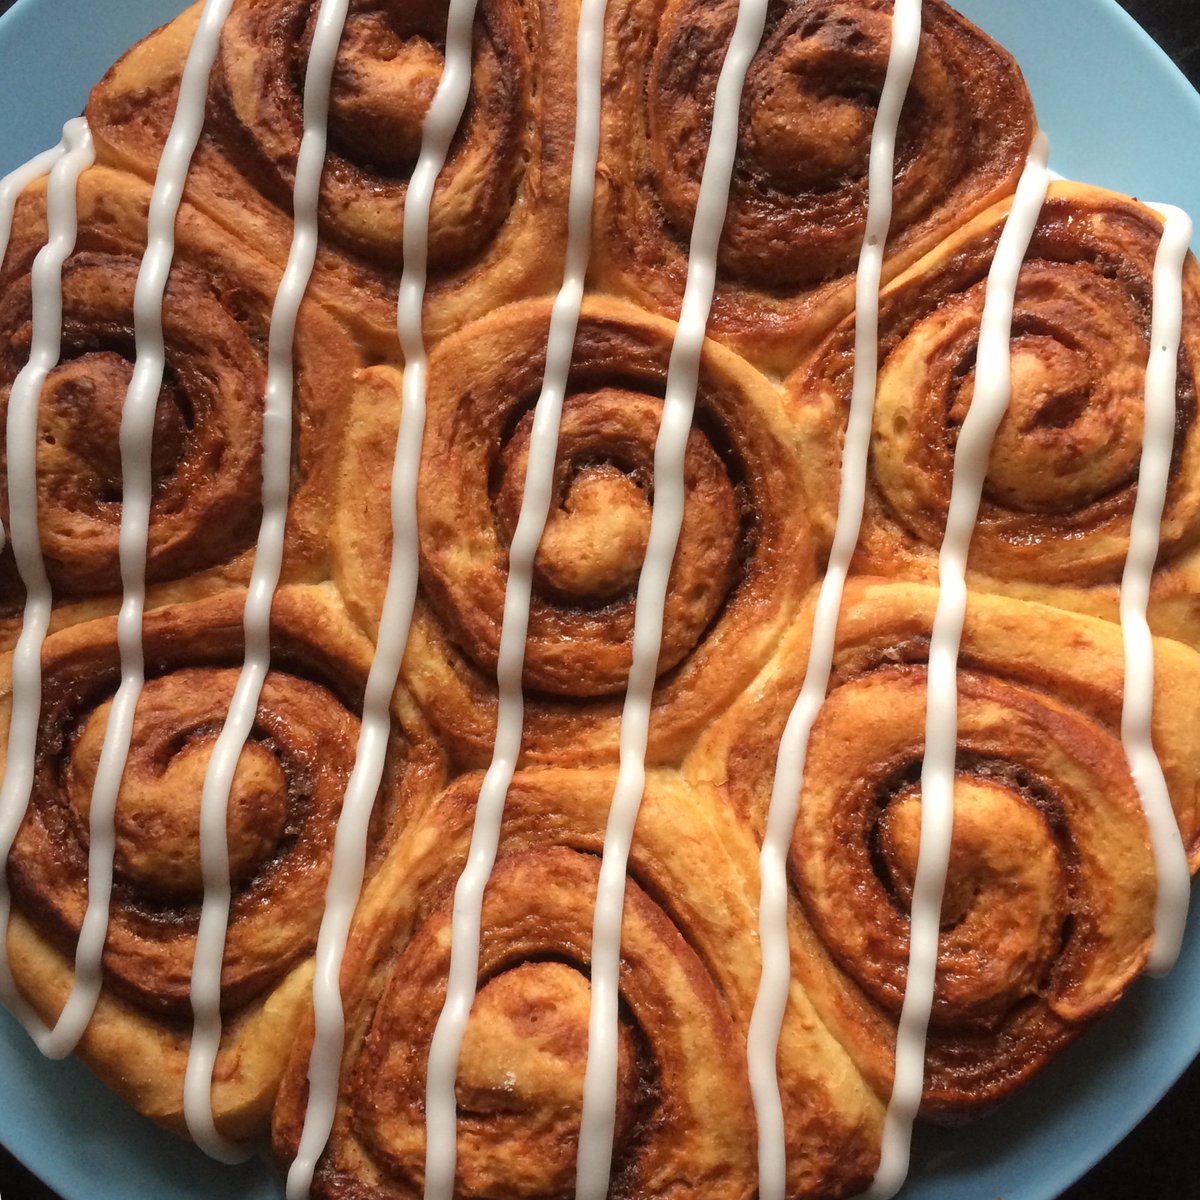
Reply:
x=350 y=847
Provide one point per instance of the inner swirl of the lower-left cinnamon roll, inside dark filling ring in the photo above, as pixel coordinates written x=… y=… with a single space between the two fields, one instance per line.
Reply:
x=158 y=821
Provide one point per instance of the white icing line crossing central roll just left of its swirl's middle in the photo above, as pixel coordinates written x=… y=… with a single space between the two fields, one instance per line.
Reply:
x=469 y=901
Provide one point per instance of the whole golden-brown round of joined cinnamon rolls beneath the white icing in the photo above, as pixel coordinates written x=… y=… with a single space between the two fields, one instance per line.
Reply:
x=1049 y=909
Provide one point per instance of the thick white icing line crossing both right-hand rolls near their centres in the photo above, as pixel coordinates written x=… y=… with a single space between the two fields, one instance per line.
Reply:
x=993 y=392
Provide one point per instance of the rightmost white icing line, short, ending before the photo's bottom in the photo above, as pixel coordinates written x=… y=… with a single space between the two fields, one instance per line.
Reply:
x=1154 y=475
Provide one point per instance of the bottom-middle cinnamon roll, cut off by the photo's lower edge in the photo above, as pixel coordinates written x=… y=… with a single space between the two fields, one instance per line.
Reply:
x=688 y=982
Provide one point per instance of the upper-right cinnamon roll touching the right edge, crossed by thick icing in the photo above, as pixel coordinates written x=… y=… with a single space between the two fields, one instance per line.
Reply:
x=1063 y=477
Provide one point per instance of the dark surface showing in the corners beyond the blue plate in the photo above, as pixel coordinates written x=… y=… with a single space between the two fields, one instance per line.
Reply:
x=1161 y=1159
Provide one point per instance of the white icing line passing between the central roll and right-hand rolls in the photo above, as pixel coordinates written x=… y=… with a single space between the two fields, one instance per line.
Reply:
x=771 y=1004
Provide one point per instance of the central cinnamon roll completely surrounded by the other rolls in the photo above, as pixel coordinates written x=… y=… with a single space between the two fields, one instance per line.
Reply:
x=743 y=562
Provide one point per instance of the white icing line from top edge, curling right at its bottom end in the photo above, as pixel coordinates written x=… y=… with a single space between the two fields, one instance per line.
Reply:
x=263 y=581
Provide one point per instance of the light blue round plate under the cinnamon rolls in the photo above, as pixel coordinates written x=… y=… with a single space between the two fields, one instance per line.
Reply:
x=1119 y=115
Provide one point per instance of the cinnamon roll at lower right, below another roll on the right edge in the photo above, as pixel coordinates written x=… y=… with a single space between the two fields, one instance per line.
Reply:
x=1049 y=904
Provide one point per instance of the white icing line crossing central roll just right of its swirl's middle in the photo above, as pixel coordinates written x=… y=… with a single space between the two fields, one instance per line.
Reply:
x=598 y=1120
